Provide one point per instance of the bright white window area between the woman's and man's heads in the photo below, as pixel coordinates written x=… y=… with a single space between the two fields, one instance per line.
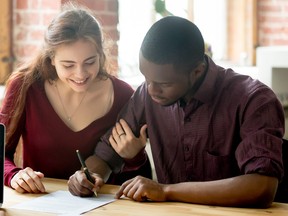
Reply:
x=135 y=18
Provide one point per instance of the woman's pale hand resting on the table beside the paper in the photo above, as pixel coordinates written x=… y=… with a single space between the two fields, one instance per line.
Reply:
x=28 y=181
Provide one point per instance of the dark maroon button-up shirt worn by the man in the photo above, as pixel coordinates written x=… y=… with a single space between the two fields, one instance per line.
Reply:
x=232 y=126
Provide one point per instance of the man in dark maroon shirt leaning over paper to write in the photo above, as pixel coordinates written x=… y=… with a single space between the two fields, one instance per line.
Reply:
x=215 y=135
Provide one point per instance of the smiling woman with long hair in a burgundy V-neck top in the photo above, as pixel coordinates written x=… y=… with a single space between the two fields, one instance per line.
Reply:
x=61 y=101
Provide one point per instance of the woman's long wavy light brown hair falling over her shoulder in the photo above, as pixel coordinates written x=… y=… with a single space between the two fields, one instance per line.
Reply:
x=74 y=22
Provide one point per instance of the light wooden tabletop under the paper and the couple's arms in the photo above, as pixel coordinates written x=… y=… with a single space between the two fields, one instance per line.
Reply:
x=127 y=207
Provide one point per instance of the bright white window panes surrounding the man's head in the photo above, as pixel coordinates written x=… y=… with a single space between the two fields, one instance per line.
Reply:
x=136 y=17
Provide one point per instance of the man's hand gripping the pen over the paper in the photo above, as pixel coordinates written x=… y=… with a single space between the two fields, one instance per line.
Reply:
x=79 y=185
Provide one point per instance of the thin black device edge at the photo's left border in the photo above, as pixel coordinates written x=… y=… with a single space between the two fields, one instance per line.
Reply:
x=2 y=147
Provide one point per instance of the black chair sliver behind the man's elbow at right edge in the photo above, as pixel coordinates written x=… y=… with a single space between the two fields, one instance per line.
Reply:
x=282 y=191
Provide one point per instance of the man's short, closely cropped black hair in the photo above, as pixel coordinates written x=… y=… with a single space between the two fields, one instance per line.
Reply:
x=173 y=40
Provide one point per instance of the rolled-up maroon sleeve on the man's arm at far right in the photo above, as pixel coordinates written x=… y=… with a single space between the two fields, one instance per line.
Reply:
x=260 y=150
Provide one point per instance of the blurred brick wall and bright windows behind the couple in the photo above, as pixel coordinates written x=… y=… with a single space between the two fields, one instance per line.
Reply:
x=250 y=36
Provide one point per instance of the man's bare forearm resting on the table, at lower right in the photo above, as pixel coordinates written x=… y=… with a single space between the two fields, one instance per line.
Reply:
x=252 y=190
